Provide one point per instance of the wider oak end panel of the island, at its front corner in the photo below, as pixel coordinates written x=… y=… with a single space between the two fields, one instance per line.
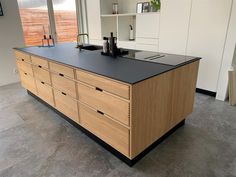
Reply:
x=151 y=111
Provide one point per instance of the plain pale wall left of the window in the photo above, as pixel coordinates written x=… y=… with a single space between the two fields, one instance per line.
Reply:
x=11 y=35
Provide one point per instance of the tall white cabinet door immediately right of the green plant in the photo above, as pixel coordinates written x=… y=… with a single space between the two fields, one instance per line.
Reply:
x=174 y=24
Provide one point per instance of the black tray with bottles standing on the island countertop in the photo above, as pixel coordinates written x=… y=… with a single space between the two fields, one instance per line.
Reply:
x=110 y=47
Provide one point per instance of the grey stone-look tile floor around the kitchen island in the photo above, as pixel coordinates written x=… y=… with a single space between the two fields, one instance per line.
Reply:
x=36 y=142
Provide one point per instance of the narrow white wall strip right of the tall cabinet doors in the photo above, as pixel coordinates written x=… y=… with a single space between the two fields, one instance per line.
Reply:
x=229 y=52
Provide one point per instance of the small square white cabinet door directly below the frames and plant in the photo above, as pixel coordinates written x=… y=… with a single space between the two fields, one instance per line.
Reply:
x=147 y=25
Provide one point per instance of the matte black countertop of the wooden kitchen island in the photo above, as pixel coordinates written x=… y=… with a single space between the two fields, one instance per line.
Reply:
x=123 y=69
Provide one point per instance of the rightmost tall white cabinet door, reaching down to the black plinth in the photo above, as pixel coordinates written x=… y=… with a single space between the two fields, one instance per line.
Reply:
x=207 y=33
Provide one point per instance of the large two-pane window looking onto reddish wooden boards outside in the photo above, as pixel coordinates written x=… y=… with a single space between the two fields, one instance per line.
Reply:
x=37 y=15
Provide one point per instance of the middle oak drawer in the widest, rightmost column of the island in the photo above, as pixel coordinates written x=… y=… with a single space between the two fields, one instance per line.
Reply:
x=104 y=102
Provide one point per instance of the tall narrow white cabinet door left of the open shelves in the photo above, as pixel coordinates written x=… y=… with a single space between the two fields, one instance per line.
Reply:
x=94 y=19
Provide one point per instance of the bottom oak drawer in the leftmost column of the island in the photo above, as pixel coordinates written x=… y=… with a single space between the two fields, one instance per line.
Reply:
x=28 y=82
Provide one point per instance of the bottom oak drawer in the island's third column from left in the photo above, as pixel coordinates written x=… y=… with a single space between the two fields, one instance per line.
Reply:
x=67 y=105
